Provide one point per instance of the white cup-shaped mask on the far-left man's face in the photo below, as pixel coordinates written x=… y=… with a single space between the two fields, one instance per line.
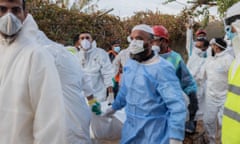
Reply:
x=10 y=24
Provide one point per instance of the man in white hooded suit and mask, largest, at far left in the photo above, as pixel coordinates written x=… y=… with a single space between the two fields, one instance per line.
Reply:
x=31 y=101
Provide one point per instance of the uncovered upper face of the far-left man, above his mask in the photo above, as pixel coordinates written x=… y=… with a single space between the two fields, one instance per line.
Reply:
x=13 y=6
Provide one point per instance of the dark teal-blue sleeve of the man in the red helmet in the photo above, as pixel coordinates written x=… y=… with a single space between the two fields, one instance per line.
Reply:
x=187 y=81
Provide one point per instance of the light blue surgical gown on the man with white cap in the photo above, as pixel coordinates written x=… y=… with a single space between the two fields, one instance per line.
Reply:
x=153 y=101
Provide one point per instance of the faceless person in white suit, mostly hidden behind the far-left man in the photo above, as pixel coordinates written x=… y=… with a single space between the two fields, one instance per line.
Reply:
x=73 y=83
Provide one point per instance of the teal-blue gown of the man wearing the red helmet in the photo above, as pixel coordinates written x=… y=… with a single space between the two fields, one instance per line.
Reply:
x=187 y=82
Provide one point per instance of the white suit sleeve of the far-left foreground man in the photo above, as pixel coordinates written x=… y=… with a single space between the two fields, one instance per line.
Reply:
x=46 y=100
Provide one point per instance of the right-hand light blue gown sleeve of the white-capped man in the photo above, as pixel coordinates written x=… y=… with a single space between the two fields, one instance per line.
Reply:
x=171 y=93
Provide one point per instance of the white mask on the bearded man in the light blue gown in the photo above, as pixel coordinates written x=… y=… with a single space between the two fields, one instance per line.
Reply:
x=136 y=46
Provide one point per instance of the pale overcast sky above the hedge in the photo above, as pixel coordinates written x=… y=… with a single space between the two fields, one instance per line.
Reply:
x=124 y=8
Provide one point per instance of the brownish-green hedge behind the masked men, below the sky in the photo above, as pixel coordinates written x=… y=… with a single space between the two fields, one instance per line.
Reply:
x=62 y=25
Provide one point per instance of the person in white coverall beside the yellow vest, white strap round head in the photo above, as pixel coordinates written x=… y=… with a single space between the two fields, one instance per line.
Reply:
x=215 y=71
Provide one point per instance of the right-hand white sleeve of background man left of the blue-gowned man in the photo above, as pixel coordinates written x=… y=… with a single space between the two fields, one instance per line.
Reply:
x=107 y=70
